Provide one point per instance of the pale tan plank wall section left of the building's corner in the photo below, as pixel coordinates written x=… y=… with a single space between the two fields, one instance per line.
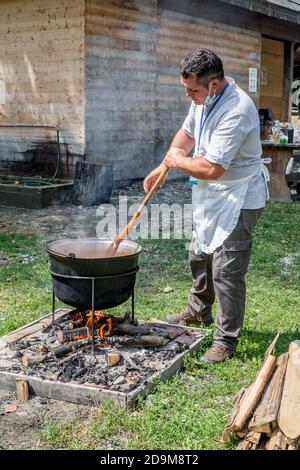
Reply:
x=42 y=68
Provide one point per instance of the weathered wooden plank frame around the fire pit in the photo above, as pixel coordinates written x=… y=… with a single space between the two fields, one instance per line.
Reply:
x=86 y=394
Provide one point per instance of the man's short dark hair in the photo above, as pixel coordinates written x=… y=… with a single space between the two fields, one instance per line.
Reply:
x=202 y=64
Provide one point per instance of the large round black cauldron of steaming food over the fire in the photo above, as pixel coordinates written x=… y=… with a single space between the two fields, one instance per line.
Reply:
x=80 y=272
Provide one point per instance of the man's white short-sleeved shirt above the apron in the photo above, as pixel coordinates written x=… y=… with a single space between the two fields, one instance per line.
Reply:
x=231 y=139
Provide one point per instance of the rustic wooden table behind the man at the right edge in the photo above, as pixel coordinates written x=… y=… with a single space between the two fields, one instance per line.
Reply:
x=280 y=154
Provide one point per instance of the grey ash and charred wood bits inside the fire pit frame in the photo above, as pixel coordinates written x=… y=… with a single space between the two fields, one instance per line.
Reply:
x=116 y=366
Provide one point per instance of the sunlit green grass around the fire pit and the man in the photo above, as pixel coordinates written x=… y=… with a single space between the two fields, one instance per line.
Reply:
x=190 y=410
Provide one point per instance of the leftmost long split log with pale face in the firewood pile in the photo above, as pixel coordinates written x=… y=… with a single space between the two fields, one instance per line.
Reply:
x=253 y=394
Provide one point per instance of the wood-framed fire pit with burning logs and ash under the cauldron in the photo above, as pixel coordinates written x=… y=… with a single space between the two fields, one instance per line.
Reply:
x=126 y=356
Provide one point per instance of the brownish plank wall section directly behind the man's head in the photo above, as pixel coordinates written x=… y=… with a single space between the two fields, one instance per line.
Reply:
x=180 y=33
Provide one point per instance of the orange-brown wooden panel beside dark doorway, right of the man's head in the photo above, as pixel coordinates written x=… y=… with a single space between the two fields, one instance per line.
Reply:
x=272 y=58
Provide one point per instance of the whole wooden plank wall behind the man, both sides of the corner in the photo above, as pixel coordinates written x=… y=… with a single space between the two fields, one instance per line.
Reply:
x=107 y=71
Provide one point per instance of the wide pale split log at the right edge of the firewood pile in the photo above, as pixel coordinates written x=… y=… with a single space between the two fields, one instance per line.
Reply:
x=289 y=412
